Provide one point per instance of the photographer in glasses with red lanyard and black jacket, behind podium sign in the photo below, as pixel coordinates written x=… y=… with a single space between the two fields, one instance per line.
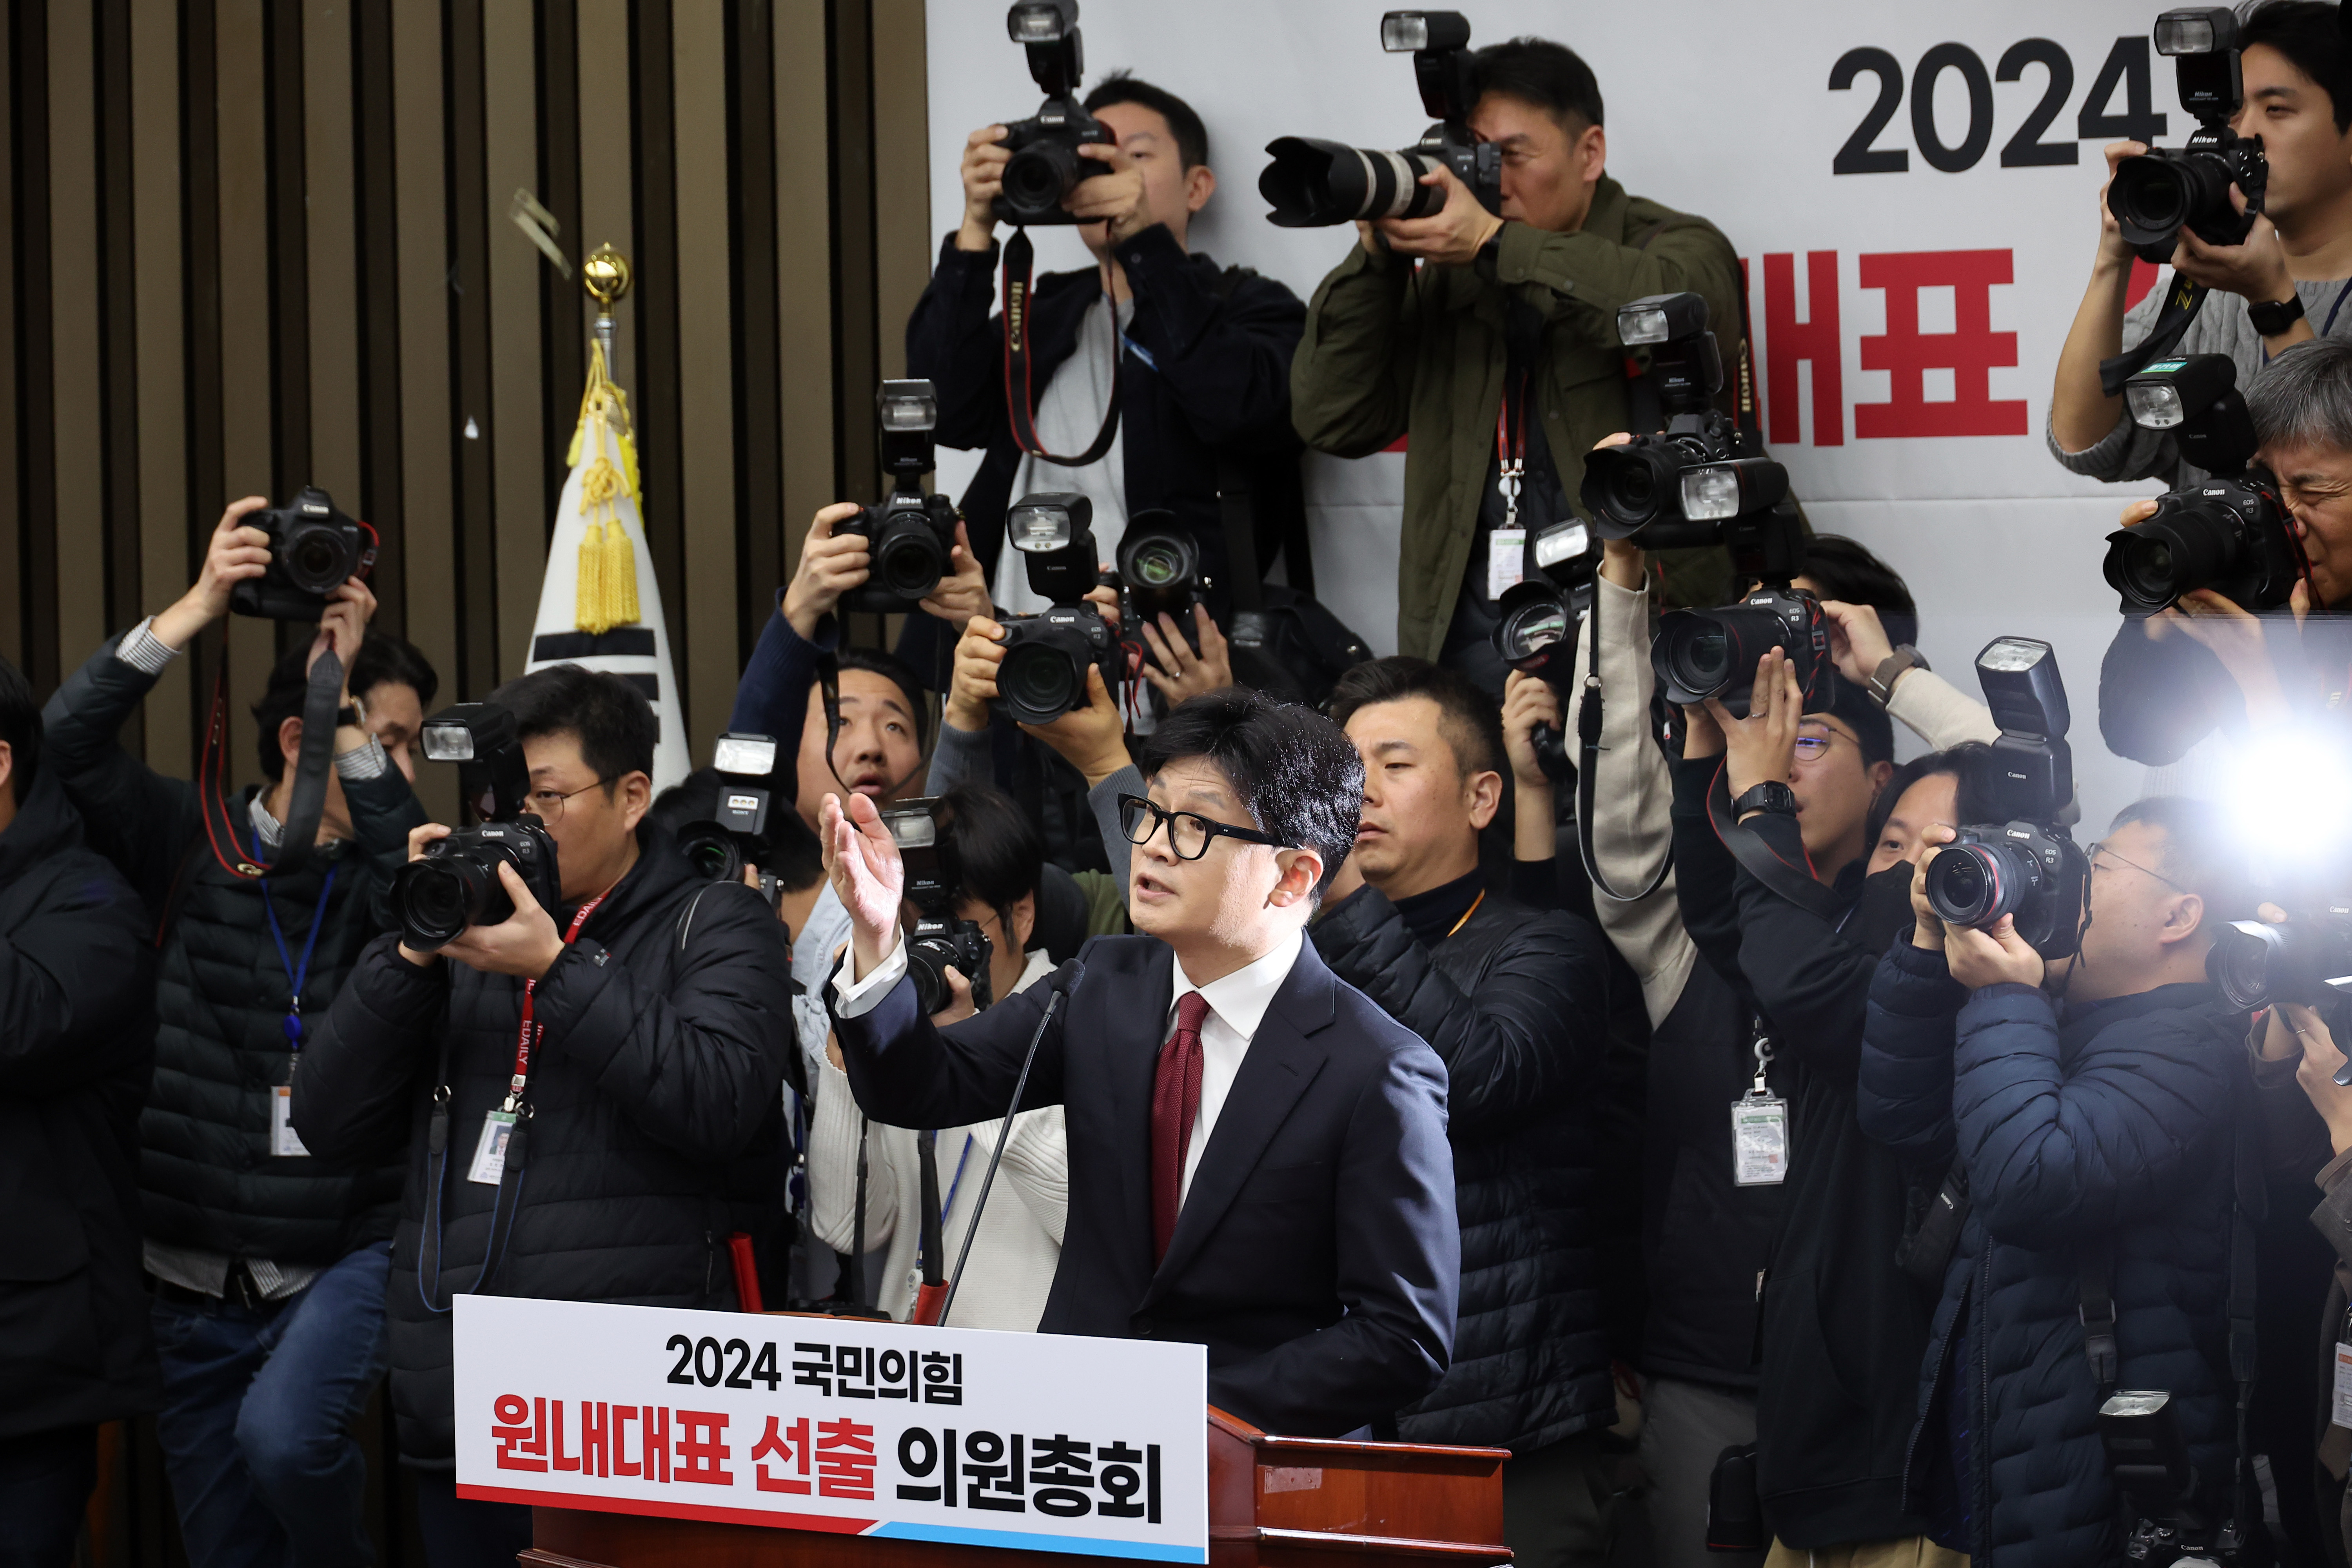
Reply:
x=587 y=1158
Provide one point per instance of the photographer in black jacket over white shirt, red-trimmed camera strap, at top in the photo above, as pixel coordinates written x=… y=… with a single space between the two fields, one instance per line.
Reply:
x=1180 y=363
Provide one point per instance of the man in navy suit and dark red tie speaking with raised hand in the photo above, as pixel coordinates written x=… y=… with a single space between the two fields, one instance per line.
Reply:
x=1257 y=1153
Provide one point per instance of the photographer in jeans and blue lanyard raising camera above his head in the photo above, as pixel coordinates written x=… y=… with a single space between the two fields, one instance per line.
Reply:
x=267 y=1259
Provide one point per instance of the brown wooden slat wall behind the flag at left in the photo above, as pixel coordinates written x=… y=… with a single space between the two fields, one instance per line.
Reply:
x=265 y=243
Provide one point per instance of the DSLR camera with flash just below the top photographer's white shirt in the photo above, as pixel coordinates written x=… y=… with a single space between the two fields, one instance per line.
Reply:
x=1048 y=655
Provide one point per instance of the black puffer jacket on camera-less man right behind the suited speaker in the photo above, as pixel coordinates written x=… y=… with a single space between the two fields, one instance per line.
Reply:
x=1516 y=1005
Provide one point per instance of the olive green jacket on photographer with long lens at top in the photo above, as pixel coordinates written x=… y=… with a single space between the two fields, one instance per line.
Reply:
x=1387 y=354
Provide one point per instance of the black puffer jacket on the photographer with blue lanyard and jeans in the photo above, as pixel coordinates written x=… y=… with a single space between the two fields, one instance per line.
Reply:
x=222 y=991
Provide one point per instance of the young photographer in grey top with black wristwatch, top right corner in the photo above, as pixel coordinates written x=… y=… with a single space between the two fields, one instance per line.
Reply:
x=2283 y=283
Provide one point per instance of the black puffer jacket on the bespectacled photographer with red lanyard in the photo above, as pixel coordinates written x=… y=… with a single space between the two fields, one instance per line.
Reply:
x=662 y=1064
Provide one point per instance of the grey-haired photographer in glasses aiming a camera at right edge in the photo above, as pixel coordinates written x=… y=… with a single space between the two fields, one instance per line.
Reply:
x=2240 y=591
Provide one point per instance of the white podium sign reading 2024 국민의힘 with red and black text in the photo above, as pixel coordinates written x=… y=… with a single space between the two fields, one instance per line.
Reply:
x=843 y=1426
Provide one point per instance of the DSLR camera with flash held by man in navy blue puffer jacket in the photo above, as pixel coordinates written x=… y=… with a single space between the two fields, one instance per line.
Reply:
x=2026 y=866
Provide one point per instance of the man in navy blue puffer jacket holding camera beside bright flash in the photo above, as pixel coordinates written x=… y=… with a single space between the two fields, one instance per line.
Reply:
x=2099 y=1120
